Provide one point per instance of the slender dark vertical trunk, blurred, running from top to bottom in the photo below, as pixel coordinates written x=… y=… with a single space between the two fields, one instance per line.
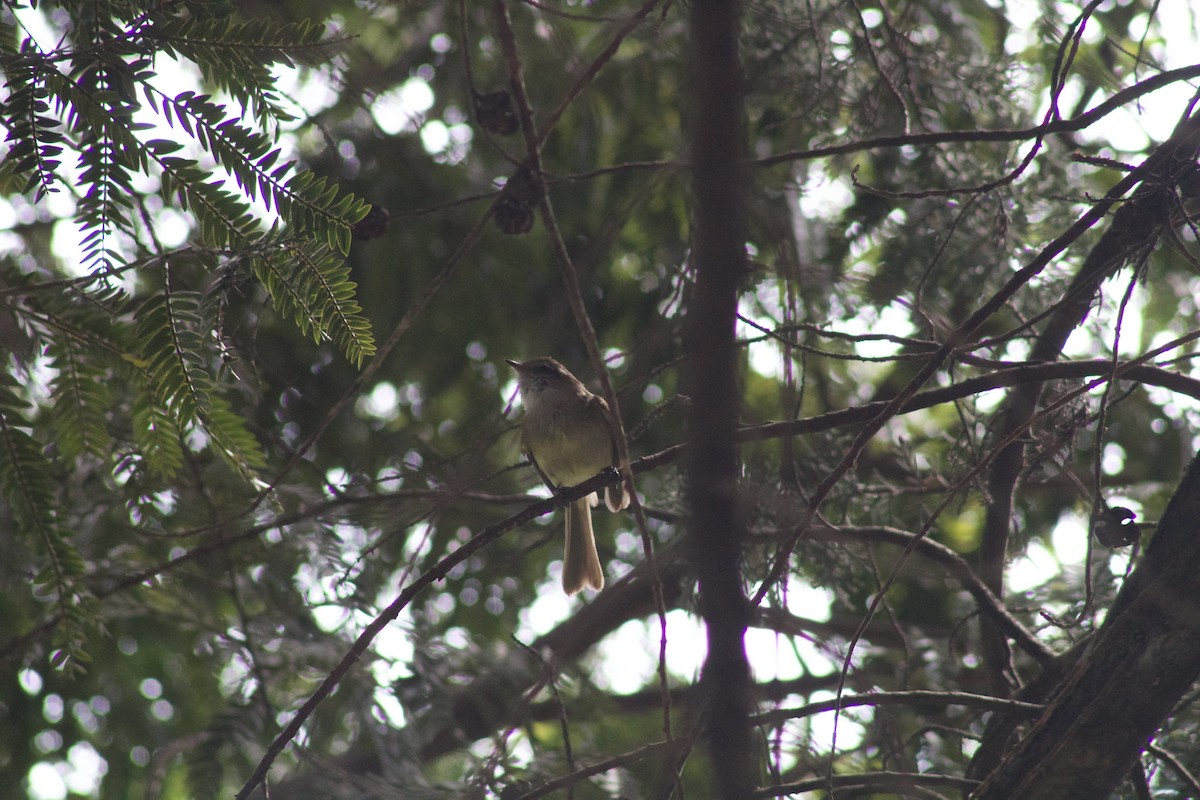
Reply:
x=719 y=258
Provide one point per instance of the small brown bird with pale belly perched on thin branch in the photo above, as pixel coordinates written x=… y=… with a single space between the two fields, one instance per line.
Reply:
x=566 y=436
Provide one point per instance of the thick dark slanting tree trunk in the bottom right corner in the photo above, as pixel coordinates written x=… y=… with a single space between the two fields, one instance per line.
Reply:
x=1127 y=681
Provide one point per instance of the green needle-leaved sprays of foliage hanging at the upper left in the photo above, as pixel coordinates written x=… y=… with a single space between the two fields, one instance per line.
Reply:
x=93 y=121
